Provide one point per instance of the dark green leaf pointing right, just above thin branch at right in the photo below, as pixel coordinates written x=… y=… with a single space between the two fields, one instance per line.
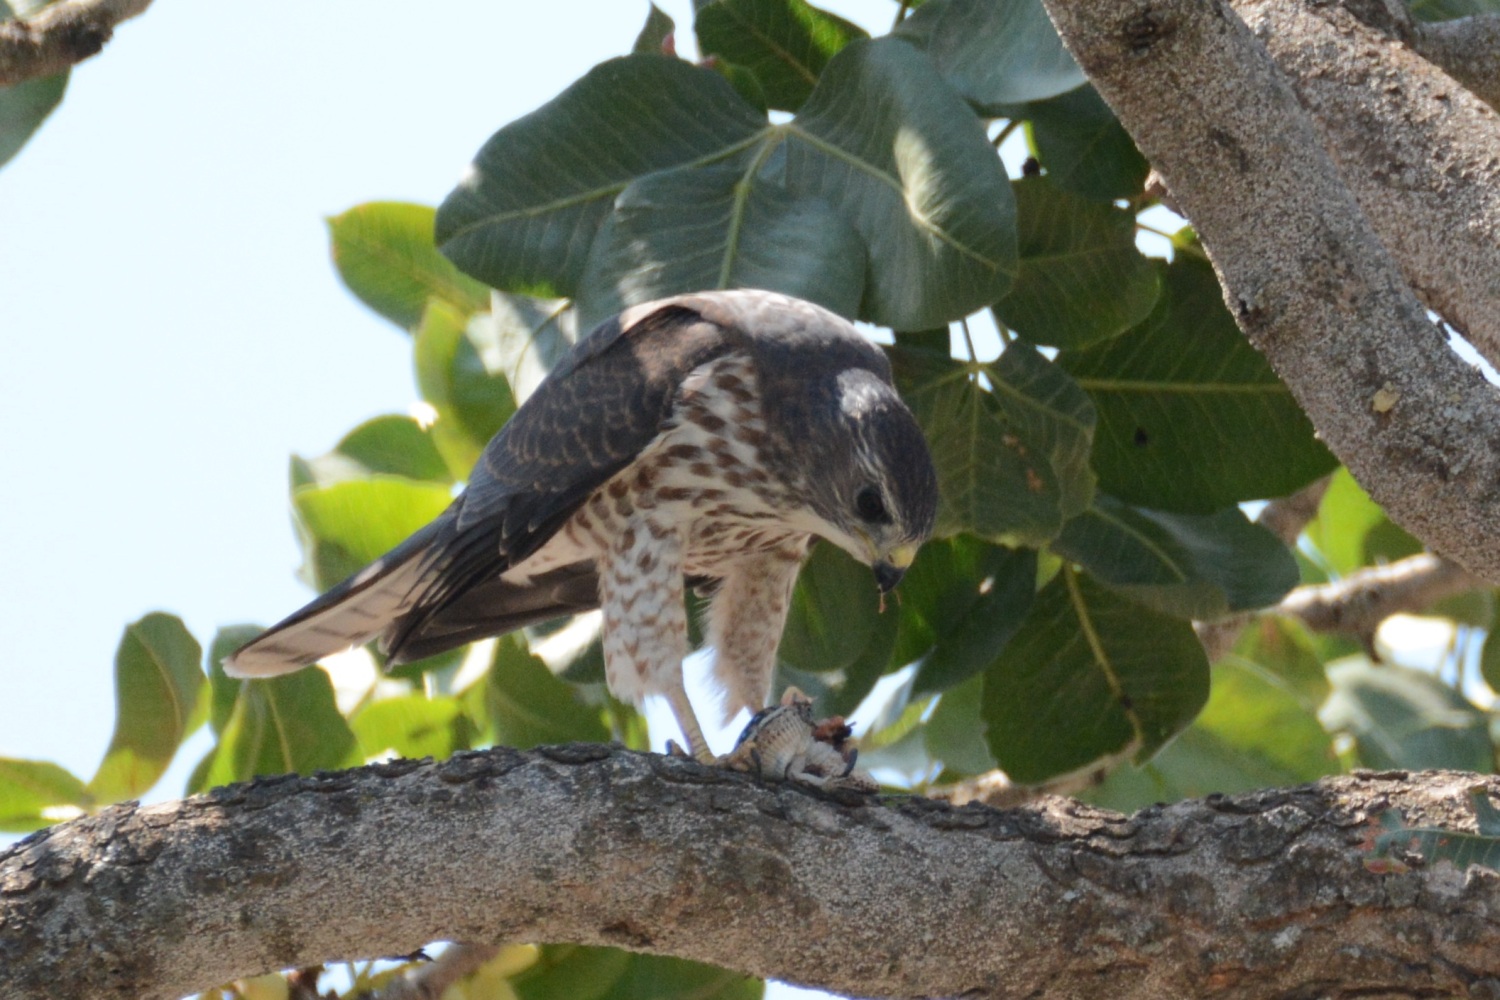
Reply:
x=1190 y=566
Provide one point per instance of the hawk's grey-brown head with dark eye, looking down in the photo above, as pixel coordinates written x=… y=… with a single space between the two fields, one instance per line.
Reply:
x=872 y=481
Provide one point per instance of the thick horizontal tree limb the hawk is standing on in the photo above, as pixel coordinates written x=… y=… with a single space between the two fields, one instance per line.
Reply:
x=1265 y=894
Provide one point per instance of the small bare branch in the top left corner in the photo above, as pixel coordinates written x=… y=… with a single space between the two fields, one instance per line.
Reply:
x=61 y=37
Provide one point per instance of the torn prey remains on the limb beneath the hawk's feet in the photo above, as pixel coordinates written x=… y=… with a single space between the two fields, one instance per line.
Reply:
x=787 y=743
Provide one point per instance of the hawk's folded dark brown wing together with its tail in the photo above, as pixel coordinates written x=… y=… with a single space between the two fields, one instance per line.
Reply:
x=598 y=410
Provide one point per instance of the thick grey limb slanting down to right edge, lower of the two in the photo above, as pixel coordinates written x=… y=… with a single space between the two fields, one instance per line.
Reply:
x=1306 y=277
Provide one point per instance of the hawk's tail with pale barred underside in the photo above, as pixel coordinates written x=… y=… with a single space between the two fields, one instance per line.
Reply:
x=349 y=615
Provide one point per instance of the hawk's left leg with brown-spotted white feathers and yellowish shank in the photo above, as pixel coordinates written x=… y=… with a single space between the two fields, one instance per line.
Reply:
x=646 y=623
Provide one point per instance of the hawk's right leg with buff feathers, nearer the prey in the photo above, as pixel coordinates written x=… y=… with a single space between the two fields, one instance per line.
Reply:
x=746 y=620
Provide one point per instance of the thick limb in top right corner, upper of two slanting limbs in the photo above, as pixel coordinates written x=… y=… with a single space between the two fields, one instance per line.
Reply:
x=1418 y=151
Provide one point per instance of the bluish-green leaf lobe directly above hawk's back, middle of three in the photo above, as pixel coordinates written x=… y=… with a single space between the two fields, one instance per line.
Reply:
x=721 y=227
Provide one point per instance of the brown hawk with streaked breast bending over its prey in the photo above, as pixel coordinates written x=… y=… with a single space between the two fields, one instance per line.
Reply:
x=706 y=439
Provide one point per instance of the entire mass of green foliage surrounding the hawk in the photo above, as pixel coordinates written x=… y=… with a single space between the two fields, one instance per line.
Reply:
x=1096 y=472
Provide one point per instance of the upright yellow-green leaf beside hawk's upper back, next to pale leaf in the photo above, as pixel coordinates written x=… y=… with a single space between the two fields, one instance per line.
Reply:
x=458 y=364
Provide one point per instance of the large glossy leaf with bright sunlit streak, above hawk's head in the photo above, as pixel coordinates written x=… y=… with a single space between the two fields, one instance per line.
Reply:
x=887 y=142
